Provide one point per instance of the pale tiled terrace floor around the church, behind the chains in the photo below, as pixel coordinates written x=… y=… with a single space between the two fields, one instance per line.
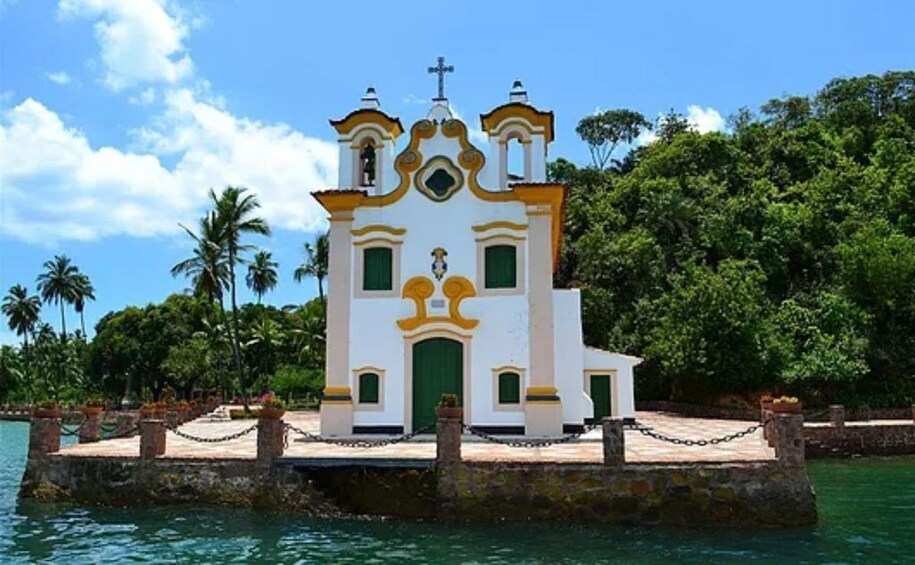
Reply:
x=639 y=448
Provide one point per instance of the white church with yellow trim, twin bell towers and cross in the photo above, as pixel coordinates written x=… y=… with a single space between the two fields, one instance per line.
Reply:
x=441 y=280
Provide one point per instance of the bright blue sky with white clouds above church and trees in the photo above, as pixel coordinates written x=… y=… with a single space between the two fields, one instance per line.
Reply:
x=116 y=116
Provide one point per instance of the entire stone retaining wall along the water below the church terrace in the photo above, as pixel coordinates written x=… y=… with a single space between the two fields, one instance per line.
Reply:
x=764 y=494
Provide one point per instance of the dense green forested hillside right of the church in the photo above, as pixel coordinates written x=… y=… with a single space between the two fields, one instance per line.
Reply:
x=779 y=256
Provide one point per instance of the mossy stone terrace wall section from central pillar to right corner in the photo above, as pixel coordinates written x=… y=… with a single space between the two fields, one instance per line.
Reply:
x=688 y=495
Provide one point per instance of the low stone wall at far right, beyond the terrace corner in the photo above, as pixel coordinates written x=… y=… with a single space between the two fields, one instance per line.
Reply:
x=845 y=441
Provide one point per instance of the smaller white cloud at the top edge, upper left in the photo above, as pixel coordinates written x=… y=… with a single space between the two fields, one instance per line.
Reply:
x=141 y=40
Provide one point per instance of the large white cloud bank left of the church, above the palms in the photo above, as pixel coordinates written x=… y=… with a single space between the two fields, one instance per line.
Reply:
x=56 y=186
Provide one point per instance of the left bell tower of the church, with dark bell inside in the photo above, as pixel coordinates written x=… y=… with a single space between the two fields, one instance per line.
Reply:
x=366 y=140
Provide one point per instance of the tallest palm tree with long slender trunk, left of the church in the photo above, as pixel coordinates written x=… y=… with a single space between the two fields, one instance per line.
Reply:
x=234 y=216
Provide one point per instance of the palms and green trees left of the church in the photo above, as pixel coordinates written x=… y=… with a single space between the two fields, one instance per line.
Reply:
x=189 y=343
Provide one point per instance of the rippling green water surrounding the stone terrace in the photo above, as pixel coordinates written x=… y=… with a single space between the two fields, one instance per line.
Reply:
x=867 y=511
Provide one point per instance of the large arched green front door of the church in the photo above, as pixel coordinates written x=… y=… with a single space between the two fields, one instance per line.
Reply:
x=438 y=368
